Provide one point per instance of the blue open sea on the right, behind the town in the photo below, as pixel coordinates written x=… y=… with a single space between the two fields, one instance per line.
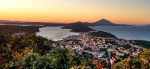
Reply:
x=127 y=32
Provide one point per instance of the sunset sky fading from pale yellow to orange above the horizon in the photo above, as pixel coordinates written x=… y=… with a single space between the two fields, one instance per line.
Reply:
x=117 y=11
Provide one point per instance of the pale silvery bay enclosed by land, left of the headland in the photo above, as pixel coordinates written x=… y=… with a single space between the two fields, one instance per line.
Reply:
x=55 y=33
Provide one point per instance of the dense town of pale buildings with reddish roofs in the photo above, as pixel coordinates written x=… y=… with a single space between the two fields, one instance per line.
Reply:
x=109 y=49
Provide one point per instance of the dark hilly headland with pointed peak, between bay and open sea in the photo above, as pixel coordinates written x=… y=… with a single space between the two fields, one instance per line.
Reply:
x=84 y=27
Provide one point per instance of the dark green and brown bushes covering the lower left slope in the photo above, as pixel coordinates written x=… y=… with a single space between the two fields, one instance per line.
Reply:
x=35 y=52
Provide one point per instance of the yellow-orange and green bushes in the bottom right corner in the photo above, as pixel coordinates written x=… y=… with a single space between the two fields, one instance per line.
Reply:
x=139 y=62
